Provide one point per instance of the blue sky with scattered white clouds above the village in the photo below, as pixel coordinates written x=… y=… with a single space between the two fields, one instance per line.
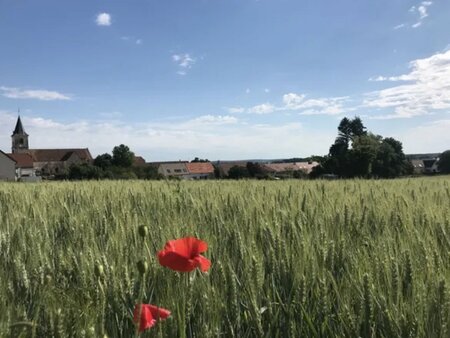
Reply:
x=224 y=79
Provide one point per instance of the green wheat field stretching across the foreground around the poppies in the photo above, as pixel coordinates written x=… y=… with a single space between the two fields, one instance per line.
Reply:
x=294 y=258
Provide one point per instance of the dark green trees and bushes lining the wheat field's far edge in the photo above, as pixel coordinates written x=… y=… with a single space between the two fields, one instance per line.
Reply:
x=355 y=152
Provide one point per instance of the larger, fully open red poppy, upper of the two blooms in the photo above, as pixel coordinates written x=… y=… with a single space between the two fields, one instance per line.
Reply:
x=184 y=255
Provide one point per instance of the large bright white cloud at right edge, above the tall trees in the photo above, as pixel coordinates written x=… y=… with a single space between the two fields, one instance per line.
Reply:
x=427 y=89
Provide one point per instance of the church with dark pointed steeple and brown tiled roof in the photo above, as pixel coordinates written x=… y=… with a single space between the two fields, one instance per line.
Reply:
x=45 y=162
